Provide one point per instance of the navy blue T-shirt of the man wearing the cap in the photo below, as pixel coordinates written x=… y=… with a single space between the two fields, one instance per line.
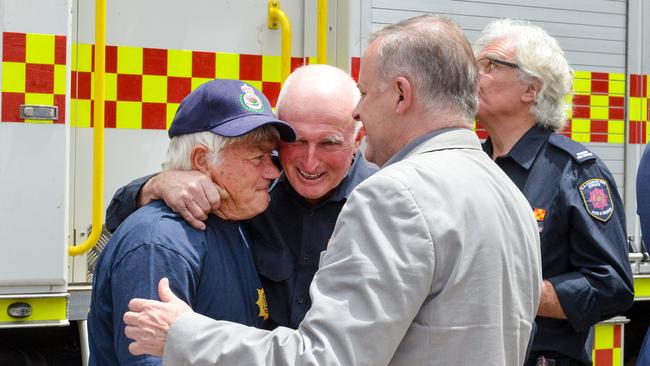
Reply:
x=212 y=270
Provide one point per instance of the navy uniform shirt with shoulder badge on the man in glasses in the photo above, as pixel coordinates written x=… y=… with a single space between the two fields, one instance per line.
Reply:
x=582 y=232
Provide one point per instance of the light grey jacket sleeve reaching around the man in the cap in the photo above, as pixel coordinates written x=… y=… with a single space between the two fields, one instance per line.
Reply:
x=373 y=279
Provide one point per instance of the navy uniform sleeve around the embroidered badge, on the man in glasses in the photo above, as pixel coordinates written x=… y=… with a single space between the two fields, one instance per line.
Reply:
x=601 y=286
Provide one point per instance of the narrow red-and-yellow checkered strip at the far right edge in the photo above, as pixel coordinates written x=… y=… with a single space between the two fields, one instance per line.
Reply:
x=638 y=109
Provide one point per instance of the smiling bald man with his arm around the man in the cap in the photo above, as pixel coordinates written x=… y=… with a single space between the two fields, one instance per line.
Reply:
x=320 y=170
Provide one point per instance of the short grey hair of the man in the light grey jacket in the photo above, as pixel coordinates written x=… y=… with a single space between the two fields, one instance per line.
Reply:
x=432 y=52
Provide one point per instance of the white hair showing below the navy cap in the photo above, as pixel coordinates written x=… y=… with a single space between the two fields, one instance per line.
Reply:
x=179 y=151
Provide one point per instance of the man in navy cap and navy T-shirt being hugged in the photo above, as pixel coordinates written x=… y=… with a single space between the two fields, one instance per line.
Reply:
x=226 y=130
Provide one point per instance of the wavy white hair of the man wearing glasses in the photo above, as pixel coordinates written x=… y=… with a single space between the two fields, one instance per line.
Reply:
x=540 y=59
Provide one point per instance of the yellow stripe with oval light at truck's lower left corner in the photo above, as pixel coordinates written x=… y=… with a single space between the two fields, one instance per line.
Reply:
x=48 y=308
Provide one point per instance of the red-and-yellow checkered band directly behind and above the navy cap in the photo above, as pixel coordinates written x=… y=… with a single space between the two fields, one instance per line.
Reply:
x=144 y=86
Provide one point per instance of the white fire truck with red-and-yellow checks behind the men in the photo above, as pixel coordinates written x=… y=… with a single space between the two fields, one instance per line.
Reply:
x=89 y=89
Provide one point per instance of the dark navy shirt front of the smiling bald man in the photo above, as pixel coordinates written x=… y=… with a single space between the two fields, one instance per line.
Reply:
x=288 y=239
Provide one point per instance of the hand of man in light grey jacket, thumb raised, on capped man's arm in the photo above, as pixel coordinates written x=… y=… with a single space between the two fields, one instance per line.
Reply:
x=148 y=321
